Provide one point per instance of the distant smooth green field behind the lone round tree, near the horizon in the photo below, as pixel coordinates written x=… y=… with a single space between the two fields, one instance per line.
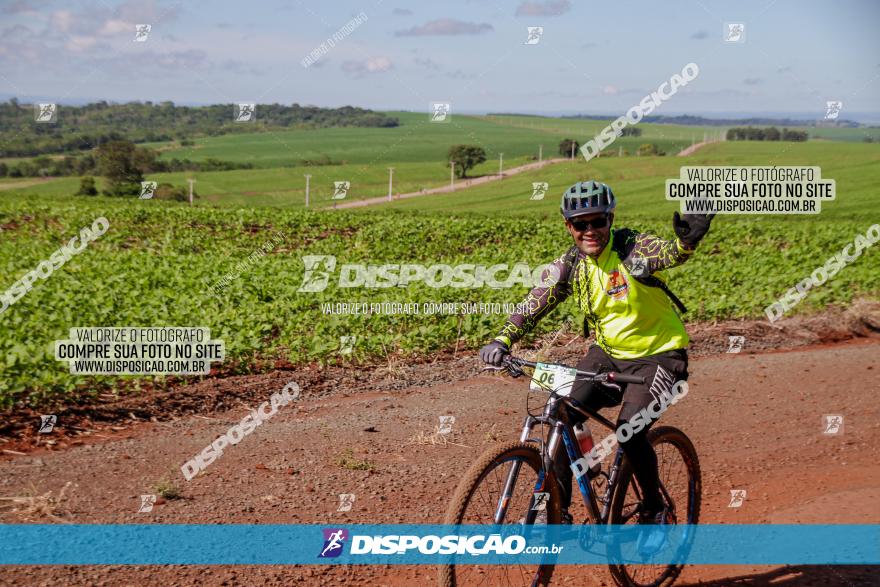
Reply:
x=419 y=140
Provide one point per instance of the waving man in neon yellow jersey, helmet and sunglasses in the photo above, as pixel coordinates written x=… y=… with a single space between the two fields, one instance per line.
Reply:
x=630 y=310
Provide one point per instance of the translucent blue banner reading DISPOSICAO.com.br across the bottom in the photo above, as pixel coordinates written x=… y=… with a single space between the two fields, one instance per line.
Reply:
x=202 y=544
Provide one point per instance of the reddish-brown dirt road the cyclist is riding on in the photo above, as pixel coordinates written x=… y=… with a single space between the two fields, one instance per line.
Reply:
x=756 y=420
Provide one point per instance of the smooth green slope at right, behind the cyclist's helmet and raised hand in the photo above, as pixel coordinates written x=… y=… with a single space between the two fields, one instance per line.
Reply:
x=639 y=181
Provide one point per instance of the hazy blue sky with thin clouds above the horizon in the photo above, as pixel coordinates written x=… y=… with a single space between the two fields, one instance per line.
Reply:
x=592 y=57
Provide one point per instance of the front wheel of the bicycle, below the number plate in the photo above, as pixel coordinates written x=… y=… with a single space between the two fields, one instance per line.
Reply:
x=477 y=499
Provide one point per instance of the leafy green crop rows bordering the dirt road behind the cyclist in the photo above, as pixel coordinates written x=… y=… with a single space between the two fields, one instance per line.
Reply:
x=155 y=267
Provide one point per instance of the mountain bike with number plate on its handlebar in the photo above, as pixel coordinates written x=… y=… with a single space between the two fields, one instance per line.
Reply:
x=486 y=493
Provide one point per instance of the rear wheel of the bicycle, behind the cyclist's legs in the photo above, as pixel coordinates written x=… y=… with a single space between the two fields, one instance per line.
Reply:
x=680 y=478
